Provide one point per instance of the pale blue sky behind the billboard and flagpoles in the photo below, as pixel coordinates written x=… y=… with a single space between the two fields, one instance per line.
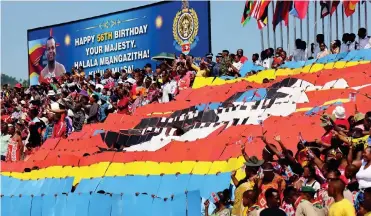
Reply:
x=226 y=30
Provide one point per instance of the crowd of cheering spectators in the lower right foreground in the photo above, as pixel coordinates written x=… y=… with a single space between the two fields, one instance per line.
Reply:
x=327 y=176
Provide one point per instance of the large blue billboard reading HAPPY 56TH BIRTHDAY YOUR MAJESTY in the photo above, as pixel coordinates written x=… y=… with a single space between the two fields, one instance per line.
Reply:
x=121 y=40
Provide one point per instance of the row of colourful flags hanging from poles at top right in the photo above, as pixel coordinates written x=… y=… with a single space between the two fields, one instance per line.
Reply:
x=258 y=9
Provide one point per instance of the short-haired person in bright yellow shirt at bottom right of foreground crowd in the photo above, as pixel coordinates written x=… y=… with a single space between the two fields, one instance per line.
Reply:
x=341 y=206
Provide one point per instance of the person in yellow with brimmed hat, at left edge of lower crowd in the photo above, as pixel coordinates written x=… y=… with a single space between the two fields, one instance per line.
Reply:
x=251 y=168
